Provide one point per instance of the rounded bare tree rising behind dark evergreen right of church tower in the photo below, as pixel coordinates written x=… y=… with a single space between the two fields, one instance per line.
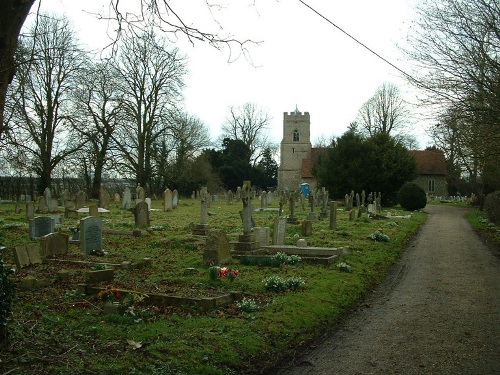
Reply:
x=385 y=112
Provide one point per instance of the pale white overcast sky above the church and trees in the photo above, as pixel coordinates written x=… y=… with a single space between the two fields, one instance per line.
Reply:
x=303 y=60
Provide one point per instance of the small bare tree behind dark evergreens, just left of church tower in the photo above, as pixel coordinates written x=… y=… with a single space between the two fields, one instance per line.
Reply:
x=248 y=123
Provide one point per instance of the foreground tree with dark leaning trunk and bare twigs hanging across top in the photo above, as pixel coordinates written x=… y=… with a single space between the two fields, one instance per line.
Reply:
x=157 y=13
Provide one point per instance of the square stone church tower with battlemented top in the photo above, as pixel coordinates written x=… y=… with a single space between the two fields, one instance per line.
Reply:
x=295 y=147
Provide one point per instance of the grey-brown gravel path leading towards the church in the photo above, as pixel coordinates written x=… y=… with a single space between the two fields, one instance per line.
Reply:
x=437 y=313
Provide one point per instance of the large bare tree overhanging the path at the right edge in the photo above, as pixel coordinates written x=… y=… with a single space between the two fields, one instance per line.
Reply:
x=456 y=44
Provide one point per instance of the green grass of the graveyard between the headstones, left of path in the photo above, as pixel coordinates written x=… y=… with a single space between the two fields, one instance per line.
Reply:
x=56 y=329
